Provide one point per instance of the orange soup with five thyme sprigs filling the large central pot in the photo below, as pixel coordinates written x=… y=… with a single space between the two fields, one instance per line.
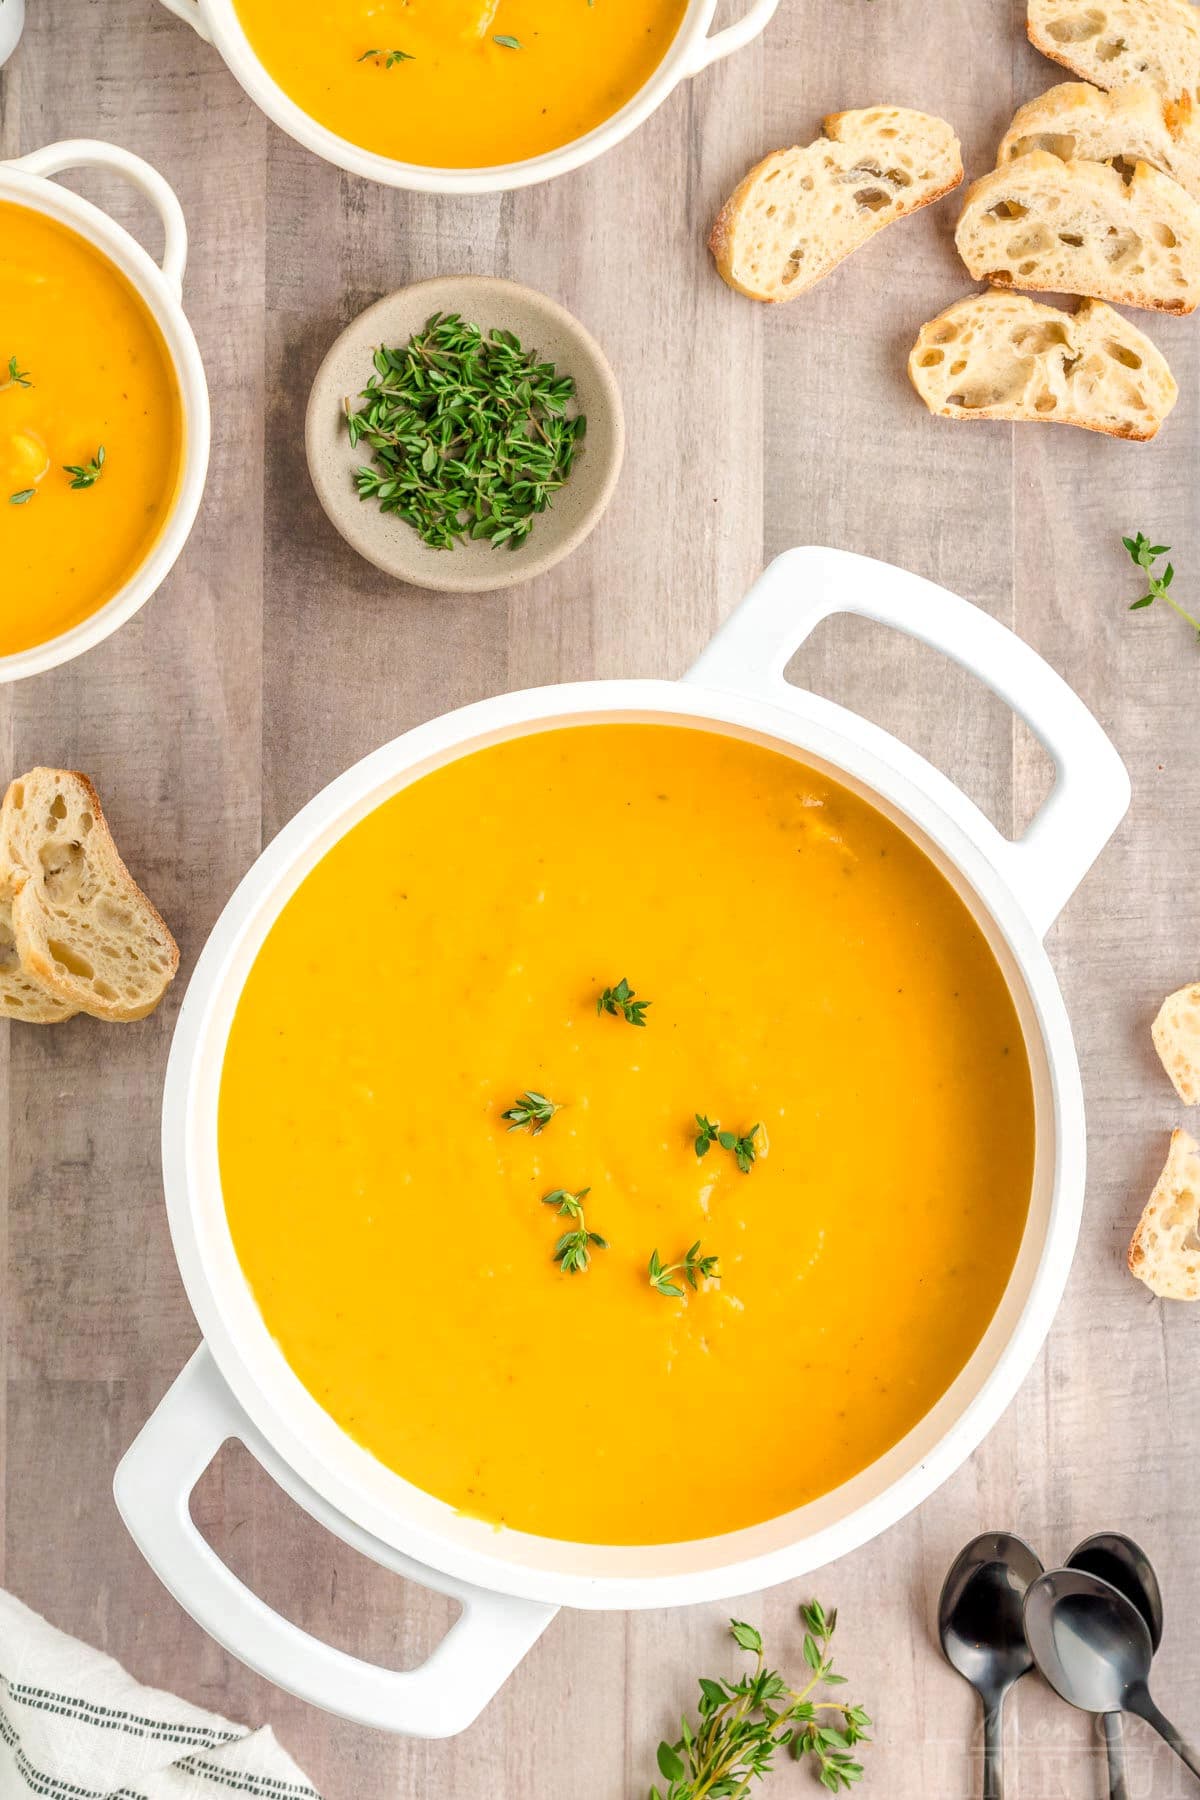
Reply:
x=465 y=1095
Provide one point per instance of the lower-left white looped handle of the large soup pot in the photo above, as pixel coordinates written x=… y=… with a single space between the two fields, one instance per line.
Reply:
x=154 y=1488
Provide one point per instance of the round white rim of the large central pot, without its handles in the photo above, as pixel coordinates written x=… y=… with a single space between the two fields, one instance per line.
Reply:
x=584 y=1576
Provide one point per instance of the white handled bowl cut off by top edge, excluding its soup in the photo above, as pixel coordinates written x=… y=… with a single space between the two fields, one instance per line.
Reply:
x=692 y=51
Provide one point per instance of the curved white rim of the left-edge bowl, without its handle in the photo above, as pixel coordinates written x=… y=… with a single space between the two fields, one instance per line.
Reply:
x=42 y=193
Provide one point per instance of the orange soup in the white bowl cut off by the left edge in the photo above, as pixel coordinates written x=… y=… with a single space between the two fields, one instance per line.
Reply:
x=91 y=429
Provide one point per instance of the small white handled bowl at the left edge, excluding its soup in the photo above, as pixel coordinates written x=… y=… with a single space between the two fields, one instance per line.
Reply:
x=28 y=183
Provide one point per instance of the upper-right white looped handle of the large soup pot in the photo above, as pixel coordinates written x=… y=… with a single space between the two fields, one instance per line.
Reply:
x=1091 y=791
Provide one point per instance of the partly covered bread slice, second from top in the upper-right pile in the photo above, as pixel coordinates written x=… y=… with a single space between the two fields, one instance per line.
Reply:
x=1077 y=121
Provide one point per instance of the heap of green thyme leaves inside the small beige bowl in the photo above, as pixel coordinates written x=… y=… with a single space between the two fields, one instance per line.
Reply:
x=469 y=433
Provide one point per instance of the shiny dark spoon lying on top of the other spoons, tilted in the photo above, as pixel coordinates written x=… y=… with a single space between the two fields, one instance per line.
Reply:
x=1095 y=1650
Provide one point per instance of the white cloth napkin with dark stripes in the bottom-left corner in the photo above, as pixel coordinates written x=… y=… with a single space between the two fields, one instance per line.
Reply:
x=76 y=1727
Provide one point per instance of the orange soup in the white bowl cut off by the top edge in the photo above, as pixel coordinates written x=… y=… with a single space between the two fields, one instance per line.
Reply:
x=461 y=84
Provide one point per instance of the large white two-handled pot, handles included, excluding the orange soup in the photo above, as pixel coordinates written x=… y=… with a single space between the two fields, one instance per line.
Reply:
x=240 y=1387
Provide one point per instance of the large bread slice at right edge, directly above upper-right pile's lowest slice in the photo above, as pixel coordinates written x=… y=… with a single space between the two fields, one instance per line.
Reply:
x=1079 y=228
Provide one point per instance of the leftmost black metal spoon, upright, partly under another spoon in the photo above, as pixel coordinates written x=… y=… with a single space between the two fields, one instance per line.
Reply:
x=983 y=1635
